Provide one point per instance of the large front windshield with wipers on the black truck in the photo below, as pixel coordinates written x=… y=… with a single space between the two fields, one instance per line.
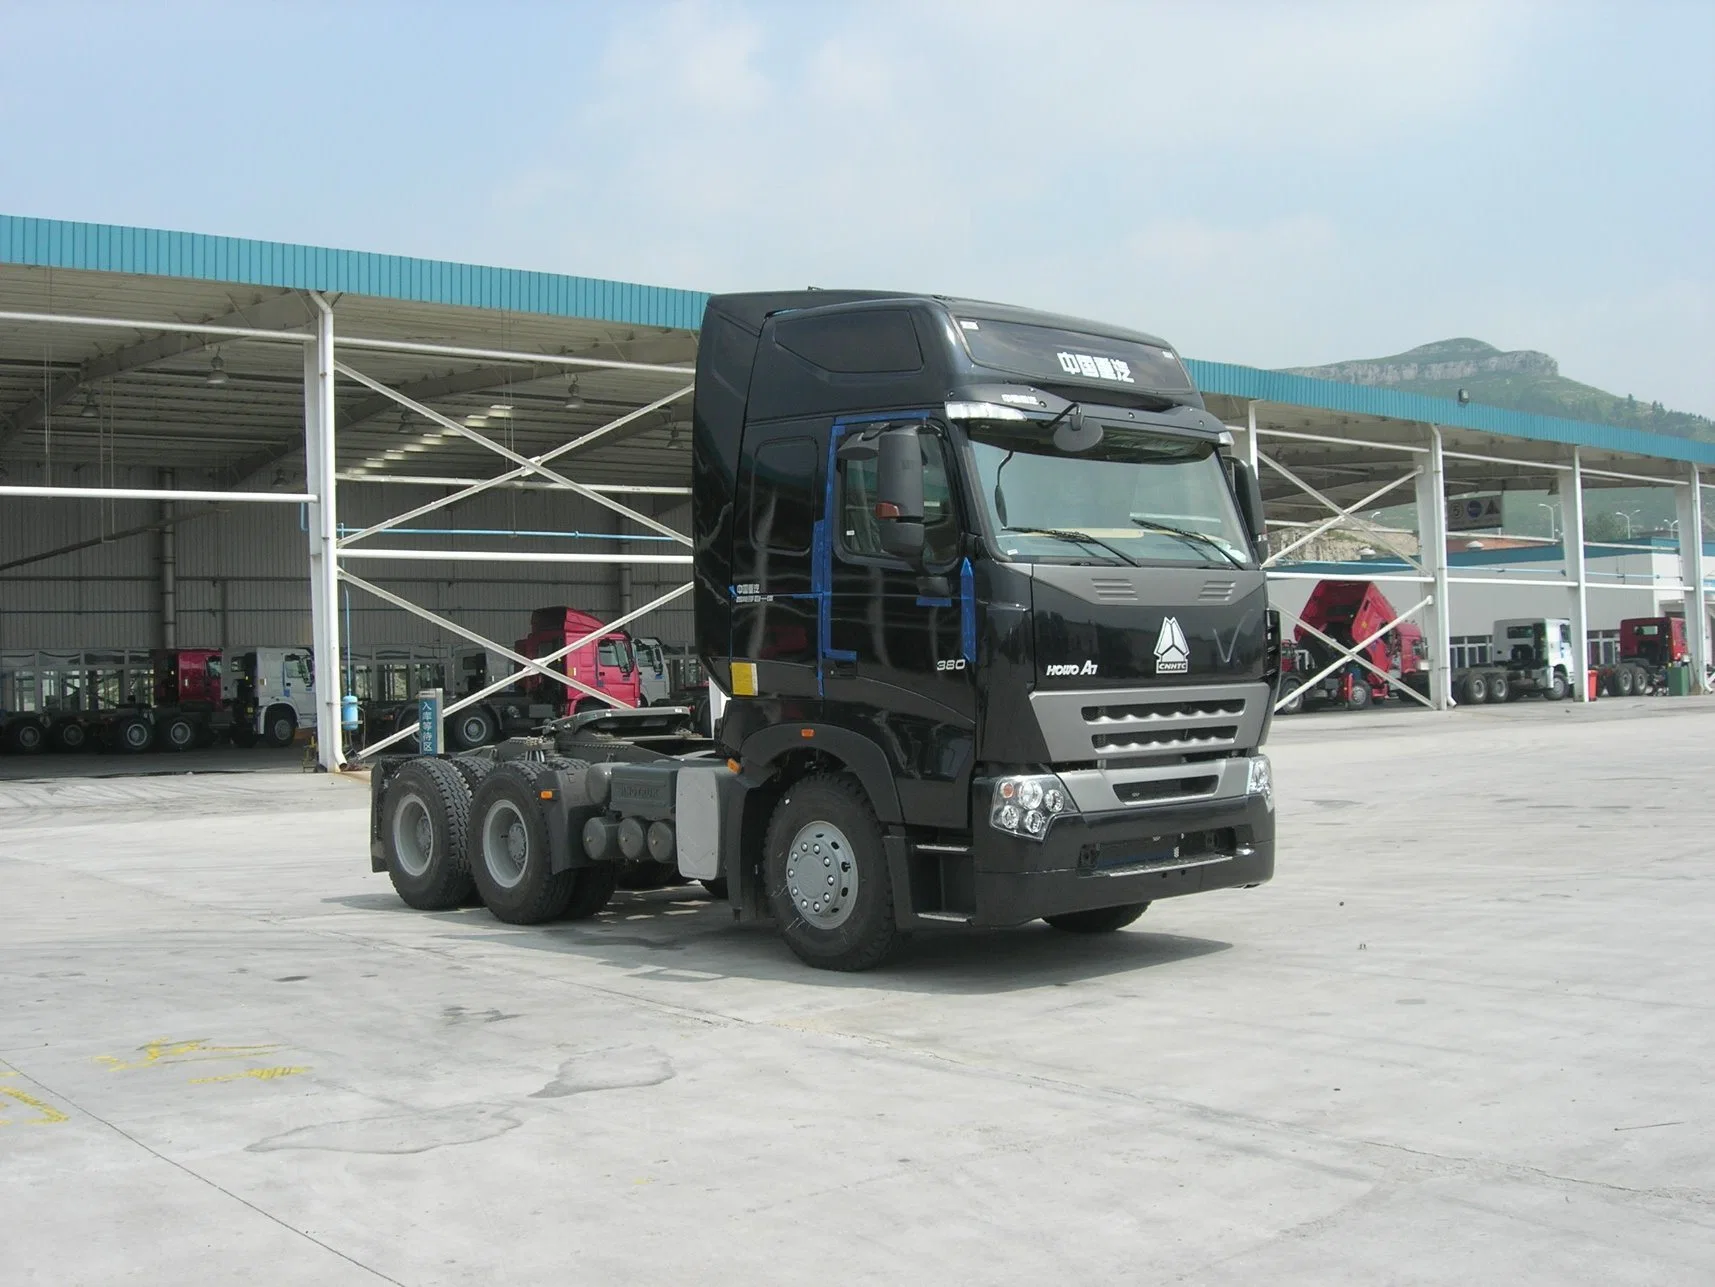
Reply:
x=1133 y=498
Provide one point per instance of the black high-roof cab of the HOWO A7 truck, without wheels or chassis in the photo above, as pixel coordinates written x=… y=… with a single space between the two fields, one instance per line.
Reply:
x=997 y=569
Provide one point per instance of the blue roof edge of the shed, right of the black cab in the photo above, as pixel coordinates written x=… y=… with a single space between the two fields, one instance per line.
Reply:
x=1399 y=406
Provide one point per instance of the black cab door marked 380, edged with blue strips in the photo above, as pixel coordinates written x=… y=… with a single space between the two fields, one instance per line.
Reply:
x=900 y=648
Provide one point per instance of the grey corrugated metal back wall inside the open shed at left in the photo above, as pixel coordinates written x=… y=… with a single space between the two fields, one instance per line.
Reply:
x=244 y=572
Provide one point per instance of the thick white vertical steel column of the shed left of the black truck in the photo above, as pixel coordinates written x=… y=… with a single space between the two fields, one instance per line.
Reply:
x=320 y=416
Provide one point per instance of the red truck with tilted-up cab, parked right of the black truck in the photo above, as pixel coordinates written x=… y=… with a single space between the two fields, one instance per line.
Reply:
x=1351 y=612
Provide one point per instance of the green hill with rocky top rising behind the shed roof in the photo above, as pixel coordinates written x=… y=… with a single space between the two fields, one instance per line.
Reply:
x=1522 y=382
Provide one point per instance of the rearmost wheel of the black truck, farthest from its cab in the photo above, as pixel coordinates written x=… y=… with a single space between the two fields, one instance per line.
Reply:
x=424 y=828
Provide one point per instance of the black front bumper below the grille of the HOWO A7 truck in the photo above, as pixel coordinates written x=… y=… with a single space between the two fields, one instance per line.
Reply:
x=1136 y=855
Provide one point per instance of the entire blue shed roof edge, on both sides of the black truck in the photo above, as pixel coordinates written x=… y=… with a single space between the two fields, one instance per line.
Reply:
x=107 y=248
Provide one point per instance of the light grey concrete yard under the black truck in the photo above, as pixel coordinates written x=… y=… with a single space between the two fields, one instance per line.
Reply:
x=1464 y=1037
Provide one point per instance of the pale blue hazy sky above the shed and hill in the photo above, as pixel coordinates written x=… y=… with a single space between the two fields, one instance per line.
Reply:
x=1270 y=184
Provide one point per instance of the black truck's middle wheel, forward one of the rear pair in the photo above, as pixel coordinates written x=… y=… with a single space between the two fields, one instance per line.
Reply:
x=508 y=849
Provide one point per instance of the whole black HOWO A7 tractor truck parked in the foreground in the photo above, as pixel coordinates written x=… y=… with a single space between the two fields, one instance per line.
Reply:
x=980 y=603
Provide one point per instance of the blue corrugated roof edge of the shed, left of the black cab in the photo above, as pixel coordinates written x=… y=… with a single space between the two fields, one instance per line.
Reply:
x=104 y=248
